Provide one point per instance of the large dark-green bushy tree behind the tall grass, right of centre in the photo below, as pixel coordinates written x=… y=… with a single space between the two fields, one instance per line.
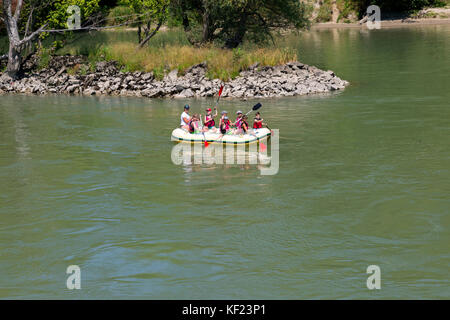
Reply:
x=230 y=21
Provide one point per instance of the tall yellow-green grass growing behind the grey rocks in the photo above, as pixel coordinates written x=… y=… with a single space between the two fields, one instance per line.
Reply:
x=170 y=50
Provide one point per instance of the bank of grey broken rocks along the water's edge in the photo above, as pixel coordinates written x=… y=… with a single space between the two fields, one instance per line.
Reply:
x=291 y=79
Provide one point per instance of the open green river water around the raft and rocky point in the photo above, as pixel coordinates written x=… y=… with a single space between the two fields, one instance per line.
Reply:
x=363 y=179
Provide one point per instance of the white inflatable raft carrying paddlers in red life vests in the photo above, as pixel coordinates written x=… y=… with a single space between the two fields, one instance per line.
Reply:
x=255 y=135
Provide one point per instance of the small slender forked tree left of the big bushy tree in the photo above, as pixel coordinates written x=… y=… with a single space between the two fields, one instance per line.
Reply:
x=149 y=12
